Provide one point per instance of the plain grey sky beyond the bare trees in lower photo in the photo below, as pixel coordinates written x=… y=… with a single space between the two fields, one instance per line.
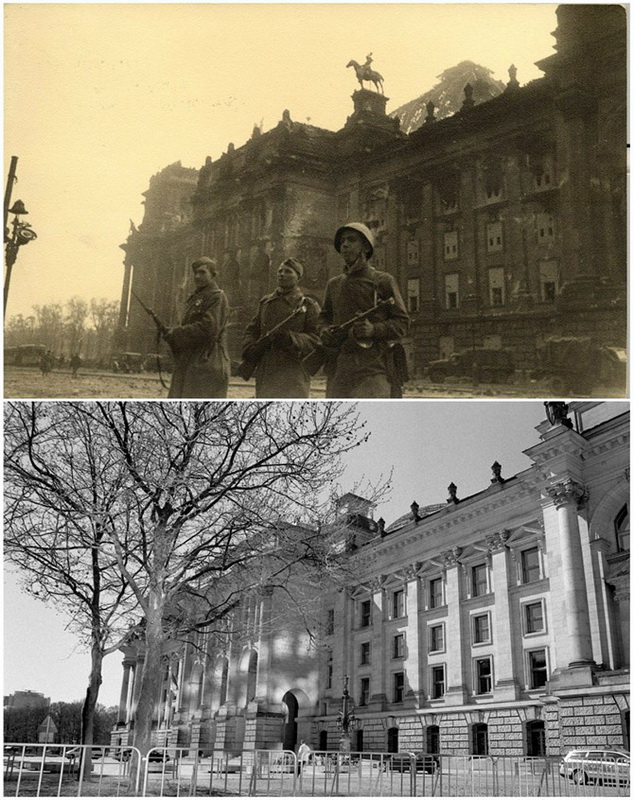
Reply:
x=429 y=444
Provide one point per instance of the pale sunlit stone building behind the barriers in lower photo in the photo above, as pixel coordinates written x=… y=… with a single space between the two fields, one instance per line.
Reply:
x=491 y=624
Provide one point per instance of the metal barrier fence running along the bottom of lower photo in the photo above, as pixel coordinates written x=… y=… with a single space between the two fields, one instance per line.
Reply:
x=56 y=771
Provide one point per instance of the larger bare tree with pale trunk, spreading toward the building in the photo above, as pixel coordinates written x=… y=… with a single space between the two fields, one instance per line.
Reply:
x=202 y=497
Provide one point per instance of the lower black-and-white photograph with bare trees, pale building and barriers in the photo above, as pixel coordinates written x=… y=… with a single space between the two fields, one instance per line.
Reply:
x=317 y=599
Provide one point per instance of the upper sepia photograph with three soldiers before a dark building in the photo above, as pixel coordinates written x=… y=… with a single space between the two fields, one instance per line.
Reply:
x=315 y=200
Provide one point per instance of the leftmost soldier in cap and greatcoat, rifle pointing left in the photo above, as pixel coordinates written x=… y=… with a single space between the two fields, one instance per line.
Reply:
x=198 y=344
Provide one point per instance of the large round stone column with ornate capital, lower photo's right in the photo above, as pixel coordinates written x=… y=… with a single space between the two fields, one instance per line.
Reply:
x=567 y=496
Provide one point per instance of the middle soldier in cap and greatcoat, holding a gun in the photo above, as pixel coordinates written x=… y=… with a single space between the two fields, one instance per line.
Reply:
x=279 y=371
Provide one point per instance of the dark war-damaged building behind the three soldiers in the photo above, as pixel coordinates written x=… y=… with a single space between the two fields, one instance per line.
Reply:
x=504 y=223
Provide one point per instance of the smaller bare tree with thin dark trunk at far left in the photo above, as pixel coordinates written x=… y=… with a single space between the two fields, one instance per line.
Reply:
x=60 y=496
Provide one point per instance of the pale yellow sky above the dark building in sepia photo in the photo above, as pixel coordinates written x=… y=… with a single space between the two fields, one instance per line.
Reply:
x=101 y=96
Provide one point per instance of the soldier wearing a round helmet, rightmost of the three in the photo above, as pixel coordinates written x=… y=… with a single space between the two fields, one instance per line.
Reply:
x=361 y=361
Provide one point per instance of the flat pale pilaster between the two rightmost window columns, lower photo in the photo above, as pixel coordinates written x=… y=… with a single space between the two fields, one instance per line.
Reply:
x=505 y=683
